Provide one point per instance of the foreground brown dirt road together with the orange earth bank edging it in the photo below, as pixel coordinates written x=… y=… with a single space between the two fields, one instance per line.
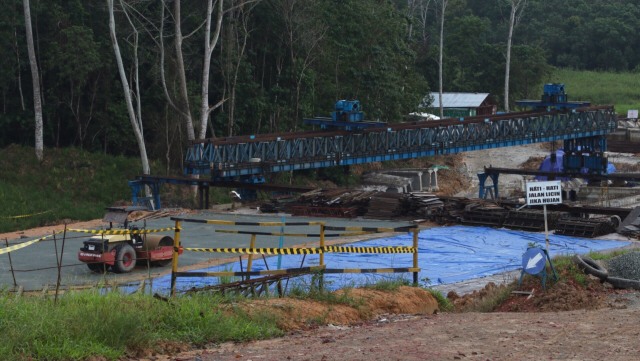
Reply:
x=400 y=327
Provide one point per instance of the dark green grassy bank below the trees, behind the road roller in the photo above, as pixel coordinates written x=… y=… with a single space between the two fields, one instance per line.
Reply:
x=69 y=184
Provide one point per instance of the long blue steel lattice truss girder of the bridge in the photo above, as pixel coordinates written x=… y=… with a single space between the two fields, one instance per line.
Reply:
x=394 y=142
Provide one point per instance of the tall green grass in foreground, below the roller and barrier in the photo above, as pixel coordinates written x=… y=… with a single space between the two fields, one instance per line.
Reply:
x=86 y=324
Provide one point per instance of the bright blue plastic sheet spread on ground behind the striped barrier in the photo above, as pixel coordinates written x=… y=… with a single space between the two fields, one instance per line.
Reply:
x=446 y=255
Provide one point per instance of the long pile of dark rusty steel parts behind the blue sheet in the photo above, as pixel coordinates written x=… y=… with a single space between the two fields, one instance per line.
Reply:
x=448 y=210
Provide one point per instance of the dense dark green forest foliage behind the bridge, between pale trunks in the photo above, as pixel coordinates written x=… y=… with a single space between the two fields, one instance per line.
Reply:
x=278 y=61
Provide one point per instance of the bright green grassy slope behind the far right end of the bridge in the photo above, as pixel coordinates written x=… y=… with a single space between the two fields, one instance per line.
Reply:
x=601 y=88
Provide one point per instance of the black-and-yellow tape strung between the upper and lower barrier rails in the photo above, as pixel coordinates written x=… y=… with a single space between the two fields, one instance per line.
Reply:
x=290 y=251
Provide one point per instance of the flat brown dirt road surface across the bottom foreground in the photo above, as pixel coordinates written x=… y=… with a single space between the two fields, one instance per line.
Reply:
x=575 y=335
